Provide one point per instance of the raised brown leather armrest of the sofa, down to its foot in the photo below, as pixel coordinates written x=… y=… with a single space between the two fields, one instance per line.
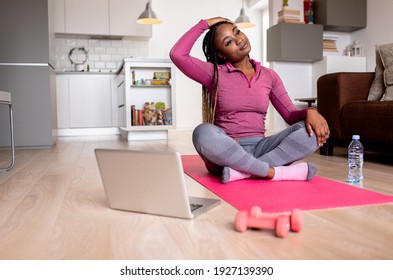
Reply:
x=334 y=90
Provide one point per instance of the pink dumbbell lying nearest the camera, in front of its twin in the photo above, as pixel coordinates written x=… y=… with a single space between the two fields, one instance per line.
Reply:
x=280 y=224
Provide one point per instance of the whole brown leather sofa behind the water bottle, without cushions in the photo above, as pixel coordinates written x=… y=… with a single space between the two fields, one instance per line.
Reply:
x=342 y=100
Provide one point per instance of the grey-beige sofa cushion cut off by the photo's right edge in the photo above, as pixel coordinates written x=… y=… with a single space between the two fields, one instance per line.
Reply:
x=386 y=52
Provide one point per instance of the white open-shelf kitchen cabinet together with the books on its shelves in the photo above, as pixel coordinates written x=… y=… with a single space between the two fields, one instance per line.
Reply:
x=143 y=84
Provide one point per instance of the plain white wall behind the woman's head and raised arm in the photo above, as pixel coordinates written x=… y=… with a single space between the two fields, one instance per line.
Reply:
x=178 y=17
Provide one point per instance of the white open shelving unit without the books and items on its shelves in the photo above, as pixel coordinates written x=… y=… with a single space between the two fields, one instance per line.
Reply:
x=136 y=93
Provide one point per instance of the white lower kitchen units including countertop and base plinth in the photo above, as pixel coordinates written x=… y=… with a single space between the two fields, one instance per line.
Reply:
x=86 y=103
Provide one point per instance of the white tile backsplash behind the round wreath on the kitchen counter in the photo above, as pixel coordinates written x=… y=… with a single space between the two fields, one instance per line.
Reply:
x=104 y=55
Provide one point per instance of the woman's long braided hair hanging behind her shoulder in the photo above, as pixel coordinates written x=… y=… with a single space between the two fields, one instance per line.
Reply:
x=209 y=99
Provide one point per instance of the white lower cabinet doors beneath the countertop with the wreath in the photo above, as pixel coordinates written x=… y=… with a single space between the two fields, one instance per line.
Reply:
x=85 y=101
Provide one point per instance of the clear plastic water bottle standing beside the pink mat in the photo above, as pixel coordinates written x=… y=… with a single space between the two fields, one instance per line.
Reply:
x=355 y=160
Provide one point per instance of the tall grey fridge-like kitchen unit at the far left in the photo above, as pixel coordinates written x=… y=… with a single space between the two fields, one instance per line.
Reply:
x=26 y=70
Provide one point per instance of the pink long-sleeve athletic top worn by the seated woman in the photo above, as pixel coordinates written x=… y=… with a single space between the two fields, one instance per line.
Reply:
x=241 y=103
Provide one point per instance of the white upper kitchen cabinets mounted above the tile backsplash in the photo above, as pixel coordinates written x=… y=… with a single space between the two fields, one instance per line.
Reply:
x=101 y=18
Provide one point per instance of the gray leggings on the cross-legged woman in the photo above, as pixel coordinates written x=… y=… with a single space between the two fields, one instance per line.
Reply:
x=252 y=155
